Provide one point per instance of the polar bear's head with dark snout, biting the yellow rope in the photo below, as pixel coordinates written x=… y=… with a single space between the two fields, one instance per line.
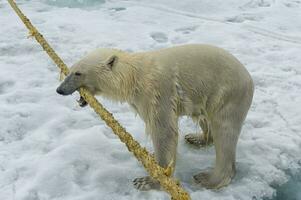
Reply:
x=94 y=72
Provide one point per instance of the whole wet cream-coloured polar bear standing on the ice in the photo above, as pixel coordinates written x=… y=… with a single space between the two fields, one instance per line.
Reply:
x=201 y=81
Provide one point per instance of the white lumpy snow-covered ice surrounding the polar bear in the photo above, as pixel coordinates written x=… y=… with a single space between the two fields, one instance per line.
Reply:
x=50 y=148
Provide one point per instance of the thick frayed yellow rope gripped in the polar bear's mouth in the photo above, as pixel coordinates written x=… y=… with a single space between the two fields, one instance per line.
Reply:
x=162 y=175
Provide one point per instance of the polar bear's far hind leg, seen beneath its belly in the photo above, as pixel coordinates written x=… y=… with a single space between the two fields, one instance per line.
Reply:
x=203 y=139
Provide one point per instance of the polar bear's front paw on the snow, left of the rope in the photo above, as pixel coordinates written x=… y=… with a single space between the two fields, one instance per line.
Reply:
x=146 y=183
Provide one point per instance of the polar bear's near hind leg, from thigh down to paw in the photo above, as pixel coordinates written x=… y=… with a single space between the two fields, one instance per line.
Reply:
x=225 y=132
